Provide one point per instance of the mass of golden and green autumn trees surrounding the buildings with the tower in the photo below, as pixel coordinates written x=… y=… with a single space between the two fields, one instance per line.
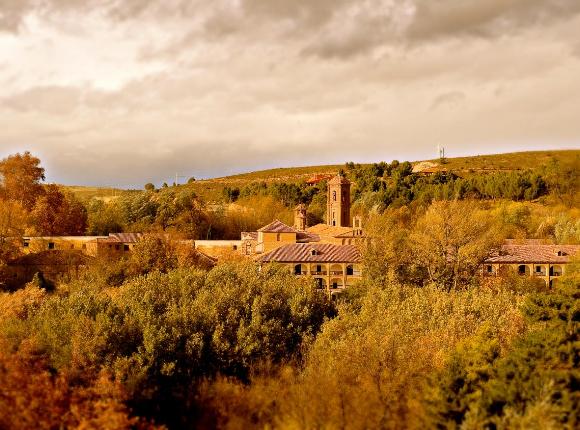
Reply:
x=163 y=338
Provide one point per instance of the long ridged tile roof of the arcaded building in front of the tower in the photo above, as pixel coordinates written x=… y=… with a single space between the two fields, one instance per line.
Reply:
x=313 y=253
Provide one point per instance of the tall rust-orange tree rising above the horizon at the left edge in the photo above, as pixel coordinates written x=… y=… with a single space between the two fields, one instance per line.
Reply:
x=20 y=177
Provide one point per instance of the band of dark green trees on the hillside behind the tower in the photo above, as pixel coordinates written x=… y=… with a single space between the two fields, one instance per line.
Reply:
x=383 y=185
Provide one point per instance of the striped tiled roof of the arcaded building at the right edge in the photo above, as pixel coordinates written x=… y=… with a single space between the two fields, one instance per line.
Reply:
x=536 y=253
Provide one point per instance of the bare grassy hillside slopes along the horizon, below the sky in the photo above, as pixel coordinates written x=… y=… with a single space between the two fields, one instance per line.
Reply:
x=211 y=189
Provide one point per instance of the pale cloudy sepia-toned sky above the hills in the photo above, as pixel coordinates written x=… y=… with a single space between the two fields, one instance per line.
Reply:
x=114 y=92
